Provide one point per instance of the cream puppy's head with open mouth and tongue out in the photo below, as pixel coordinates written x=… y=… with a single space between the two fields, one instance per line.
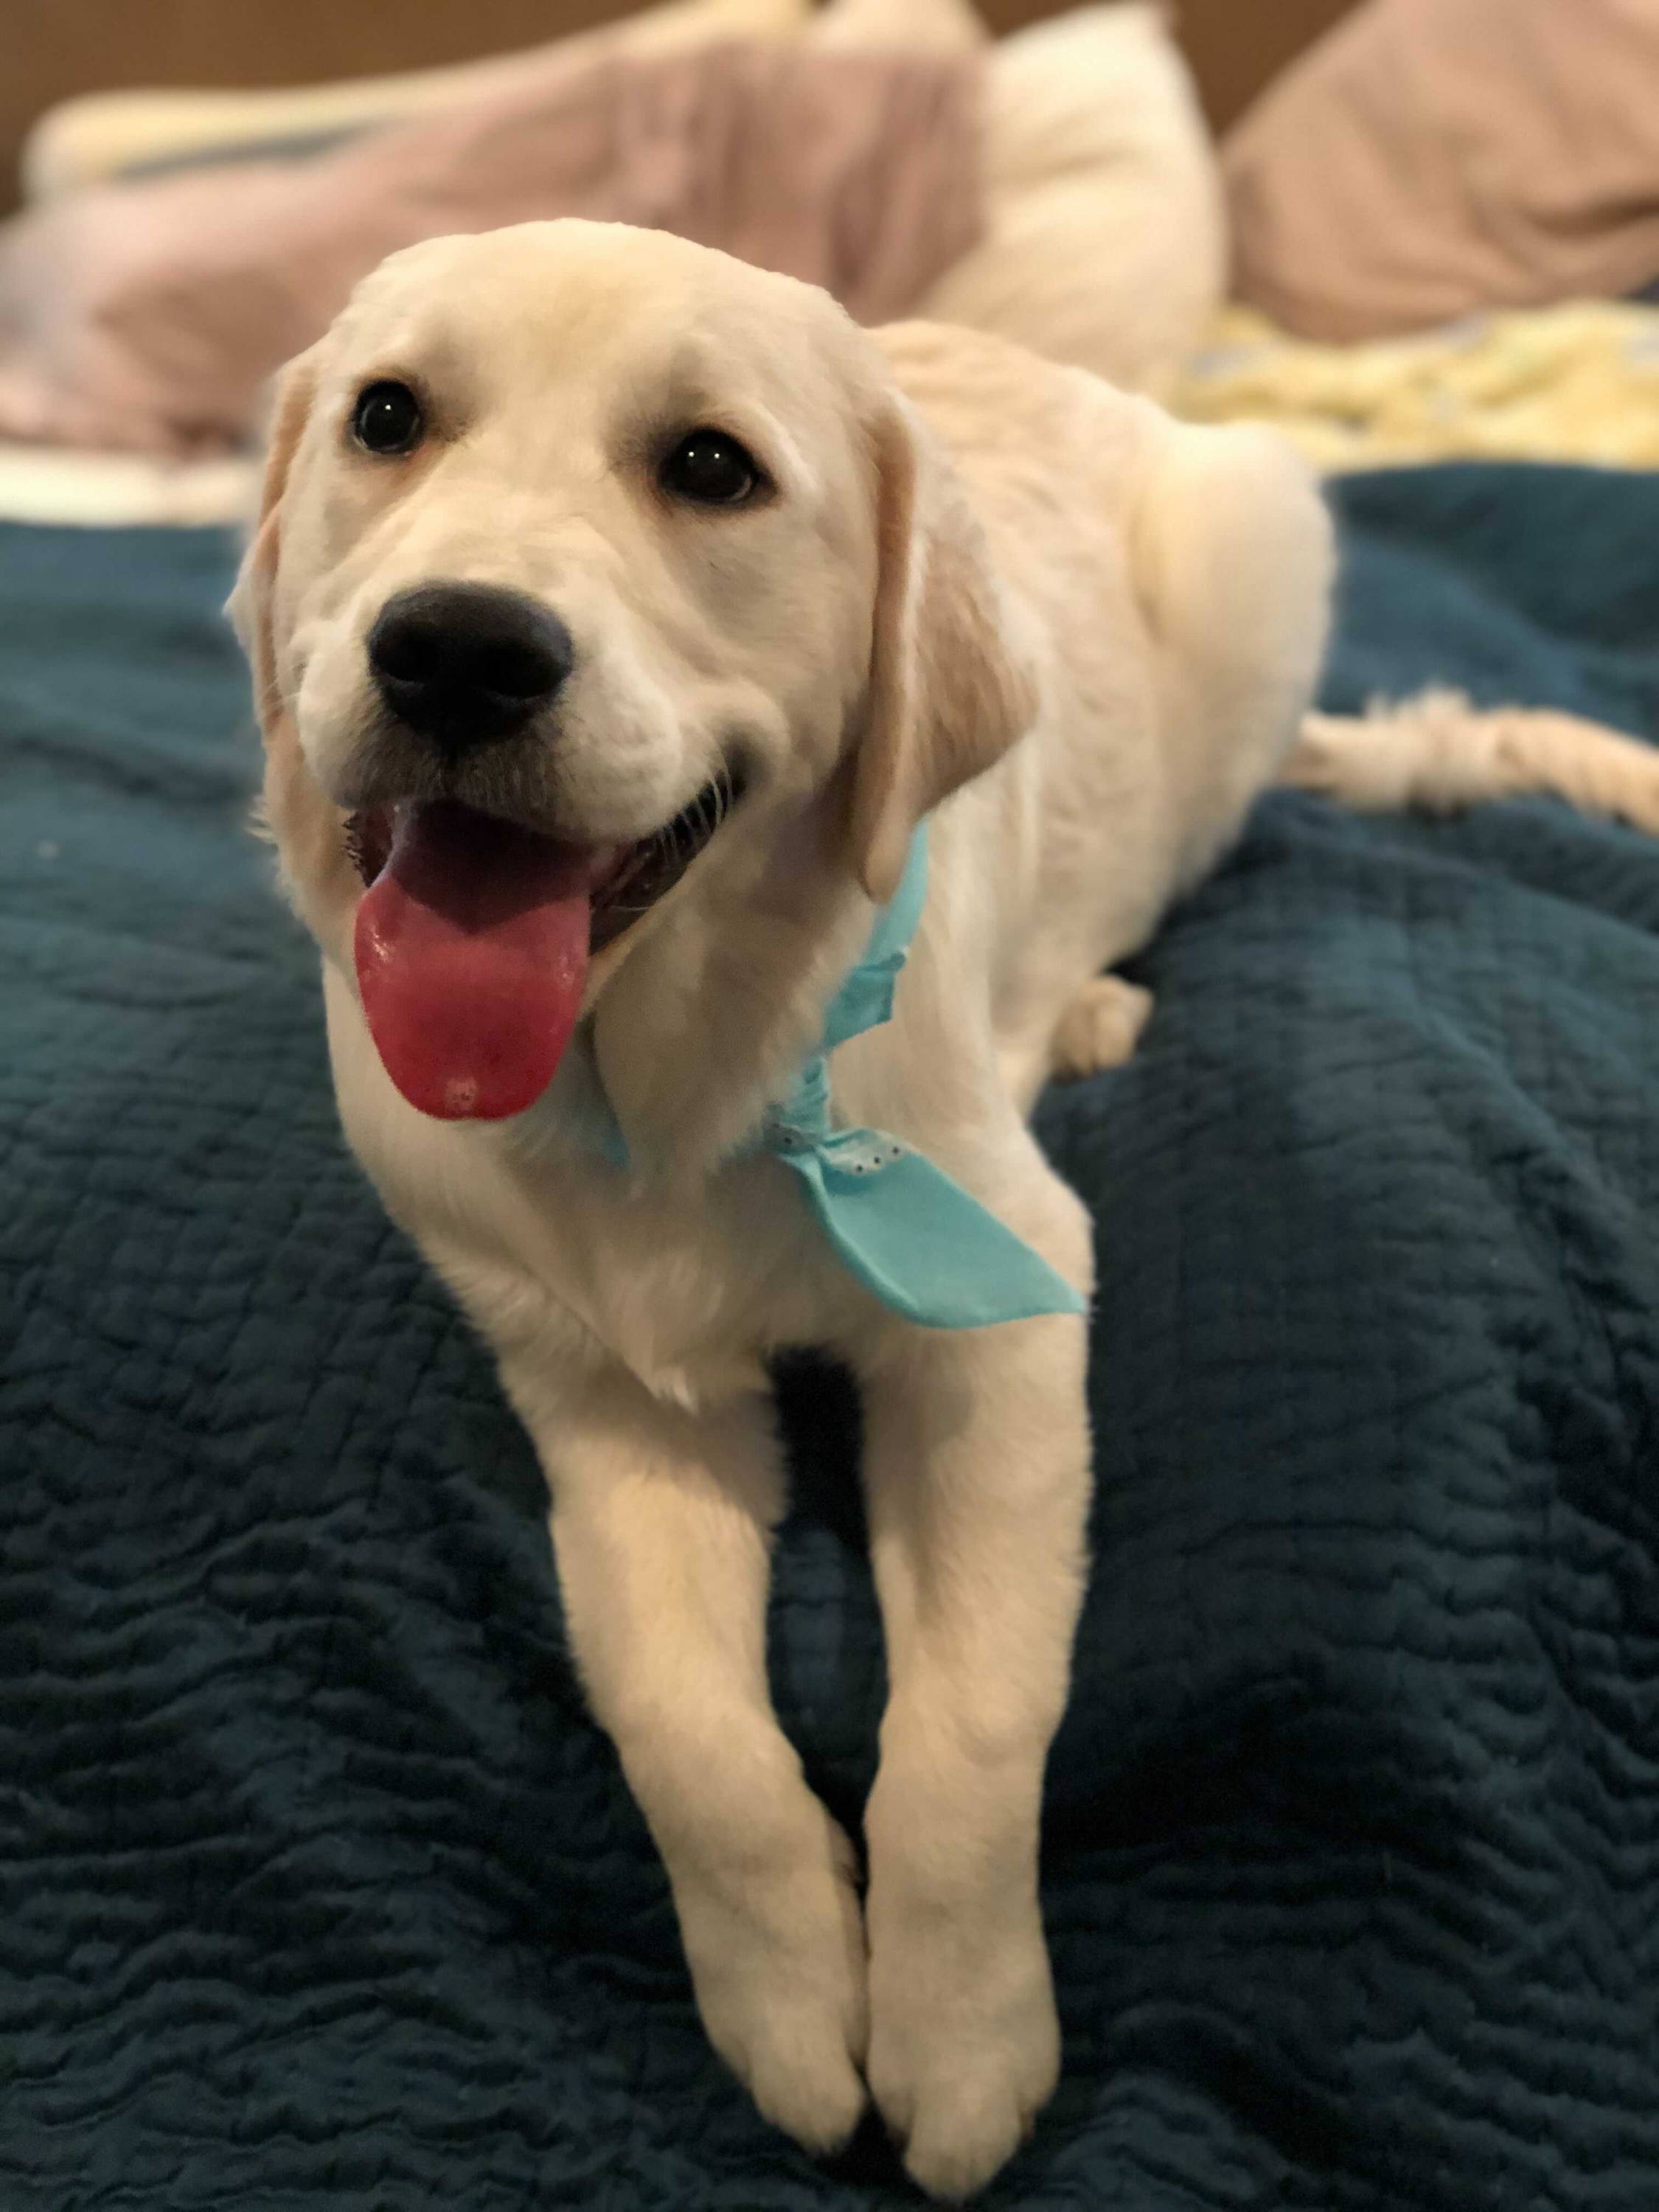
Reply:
x=607 y=607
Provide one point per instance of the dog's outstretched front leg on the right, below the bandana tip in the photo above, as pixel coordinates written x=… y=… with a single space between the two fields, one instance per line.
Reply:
x=977 y=1463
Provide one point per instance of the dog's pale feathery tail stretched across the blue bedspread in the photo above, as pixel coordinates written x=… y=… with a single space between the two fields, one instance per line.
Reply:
x=1441 y=753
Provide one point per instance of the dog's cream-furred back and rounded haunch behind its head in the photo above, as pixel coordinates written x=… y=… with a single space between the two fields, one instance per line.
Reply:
x=1176 y=583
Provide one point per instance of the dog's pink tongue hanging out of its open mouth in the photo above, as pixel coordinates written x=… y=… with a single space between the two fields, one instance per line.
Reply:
x=472 y=952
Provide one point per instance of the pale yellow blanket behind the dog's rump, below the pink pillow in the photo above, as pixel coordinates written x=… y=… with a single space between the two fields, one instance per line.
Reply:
x=1558 y=384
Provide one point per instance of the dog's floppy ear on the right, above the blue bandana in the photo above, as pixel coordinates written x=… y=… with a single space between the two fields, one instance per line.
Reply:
x=950 y=689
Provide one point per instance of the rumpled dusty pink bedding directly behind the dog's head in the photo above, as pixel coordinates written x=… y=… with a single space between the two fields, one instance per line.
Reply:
x=152 y=315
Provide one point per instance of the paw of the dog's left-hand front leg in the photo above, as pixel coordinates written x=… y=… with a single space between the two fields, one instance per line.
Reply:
x=780 y=1972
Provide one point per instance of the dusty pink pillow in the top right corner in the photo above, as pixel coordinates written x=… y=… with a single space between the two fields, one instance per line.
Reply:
x=1432 y=158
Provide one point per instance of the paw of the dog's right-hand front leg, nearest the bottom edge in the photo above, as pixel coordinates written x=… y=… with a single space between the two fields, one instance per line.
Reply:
x=963 y=2045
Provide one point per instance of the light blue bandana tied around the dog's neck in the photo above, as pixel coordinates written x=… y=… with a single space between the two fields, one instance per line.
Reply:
x=897 y=1222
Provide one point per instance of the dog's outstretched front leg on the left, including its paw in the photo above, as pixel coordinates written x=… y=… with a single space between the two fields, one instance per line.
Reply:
x=662 y=1538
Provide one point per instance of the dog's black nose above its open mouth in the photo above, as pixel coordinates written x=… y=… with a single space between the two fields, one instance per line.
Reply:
x=468 y=662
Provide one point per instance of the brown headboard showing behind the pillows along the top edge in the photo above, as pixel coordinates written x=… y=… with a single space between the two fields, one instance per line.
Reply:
x=65 y=48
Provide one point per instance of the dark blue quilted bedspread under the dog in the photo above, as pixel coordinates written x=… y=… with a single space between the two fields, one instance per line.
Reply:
x=315 y=1884
